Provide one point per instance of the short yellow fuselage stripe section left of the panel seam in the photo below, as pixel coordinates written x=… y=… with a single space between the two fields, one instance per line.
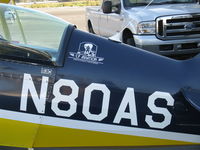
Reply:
x=17 y=133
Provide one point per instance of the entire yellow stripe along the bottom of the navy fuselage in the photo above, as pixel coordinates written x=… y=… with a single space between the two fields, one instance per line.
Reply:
x=23 y=134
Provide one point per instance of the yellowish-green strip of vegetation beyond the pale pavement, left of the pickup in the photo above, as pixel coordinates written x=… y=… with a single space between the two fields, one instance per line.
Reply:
x=63 y=4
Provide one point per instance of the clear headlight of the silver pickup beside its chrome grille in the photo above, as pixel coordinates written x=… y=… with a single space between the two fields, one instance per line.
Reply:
x=146 y=27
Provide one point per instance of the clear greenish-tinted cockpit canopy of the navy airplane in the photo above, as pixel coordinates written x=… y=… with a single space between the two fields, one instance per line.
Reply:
x=34 y=32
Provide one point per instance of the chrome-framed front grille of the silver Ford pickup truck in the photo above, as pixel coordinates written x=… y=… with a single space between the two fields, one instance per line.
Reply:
x=178 y=27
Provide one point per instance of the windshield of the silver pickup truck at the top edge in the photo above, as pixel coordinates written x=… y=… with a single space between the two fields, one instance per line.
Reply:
x=135 y=3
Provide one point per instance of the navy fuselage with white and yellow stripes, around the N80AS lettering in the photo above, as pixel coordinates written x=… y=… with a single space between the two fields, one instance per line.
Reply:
x=117 y=67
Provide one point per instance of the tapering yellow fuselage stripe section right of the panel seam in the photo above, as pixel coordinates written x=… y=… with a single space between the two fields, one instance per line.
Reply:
x=64 y=137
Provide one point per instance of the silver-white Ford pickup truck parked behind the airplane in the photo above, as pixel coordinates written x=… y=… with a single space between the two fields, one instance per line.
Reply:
x=167 y=27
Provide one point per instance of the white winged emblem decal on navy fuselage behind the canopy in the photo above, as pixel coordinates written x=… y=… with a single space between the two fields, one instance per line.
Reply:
x=87 y=52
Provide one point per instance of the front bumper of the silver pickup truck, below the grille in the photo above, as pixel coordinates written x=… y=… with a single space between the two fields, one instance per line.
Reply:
x=168 y=47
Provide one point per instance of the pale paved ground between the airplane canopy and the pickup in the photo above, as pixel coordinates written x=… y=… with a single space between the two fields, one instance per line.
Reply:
x=74 y=15
